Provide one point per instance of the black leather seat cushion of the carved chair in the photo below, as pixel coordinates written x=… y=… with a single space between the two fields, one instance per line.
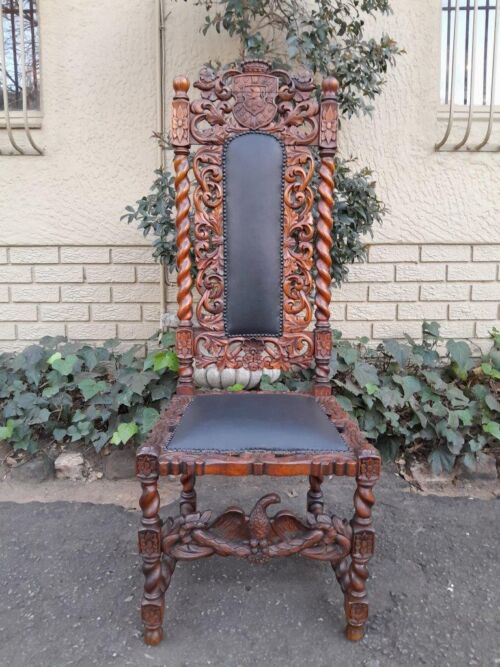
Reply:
x=271 y=422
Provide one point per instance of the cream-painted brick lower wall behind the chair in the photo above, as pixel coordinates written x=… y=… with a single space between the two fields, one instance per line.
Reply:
x=94 y=293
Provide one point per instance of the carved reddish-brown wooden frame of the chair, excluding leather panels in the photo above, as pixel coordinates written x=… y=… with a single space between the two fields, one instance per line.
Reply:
x=257 y=99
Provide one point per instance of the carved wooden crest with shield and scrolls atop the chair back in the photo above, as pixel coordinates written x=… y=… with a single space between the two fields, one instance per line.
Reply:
x=252 y=97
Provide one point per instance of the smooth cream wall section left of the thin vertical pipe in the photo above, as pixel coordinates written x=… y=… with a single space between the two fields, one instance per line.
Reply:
x=99 y=106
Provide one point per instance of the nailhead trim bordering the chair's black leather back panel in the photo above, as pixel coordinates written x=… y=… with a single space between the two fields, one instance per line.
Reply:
x=224 y=222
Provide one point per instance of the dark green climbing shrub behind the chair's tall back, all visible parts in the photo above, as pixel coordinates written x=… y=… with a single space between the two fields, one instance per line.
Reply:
x=326 y=36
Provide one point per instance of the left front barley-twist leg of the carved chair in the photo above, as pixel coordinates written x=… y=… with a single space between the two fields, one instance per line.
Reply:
x=153 y=599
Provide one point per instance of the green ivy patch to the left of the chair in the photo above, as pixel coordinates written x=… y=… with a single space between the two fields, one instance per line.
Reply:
x=83 y=394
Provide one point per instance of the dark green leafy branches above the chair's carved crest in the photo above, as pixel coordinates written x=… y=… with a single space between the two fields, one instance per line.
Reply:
x=326 y=36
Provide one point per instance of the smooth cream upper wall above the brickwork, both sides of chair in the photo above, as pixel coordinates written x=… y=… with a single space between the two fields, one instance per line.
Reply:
x=99 y=104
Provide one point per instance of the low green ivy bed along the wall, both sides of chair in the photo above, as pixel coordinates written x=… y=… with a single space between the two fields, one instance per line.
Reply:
x=406 y=397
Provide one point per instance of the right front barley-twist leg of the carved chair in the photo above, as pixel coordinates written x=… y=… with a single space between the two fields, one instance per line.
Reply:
x=363 y=540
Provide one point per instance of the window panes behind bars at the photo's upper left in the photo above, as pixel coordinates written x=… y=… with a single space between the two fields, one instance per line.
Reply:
x=20 y=57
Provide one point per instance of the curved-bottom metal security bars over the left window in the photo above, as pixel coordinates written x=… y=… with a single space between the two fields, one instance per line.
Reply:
x=19 y=74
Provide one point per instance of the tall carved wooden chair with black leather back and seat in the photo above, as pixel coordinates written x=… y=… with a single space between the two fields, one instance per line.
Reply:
x=255 y=244
